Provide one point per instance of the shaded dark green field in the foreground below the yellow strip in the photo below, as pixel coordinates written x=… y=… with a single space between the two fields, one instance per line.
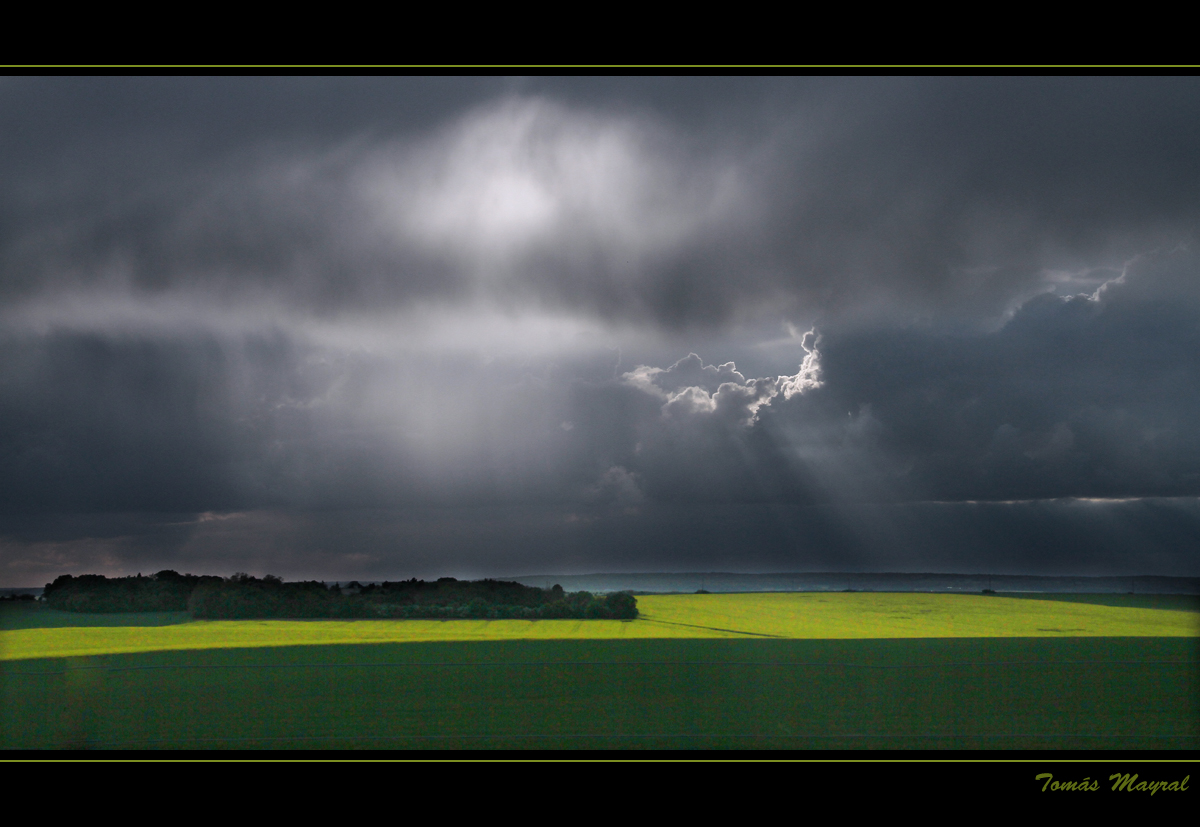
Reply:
x=640 y=693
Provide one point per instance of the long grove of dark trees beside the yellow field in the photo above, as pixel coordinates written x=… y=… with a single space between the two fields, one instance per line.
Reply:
x=244 y=597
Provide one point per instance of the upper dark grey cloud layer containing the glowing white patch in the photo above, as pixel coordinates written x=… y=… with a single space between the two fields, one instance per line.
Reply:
x=677 y=201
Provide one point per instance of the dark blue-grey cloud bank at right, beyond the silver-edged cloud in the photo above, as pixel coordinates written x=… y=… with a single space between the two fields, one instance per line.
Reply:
x=1087 y=395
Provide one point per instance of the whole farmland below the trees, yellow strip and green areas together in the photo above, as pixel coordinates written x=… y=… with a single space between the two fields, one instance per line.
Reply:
x=745 y=672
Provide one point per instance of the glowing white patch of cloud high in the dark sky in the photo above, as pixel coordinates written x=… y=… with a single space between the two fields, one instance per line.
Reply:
x=527 y=176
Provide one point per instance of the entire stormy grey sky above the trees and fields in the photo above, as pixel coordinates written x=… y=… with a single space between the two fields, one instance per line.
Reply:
x=383 y=328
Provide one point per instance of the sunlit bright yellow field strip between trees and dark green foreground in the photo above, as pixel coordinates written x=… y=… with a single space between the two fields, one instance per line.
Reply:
x=785 y=615
